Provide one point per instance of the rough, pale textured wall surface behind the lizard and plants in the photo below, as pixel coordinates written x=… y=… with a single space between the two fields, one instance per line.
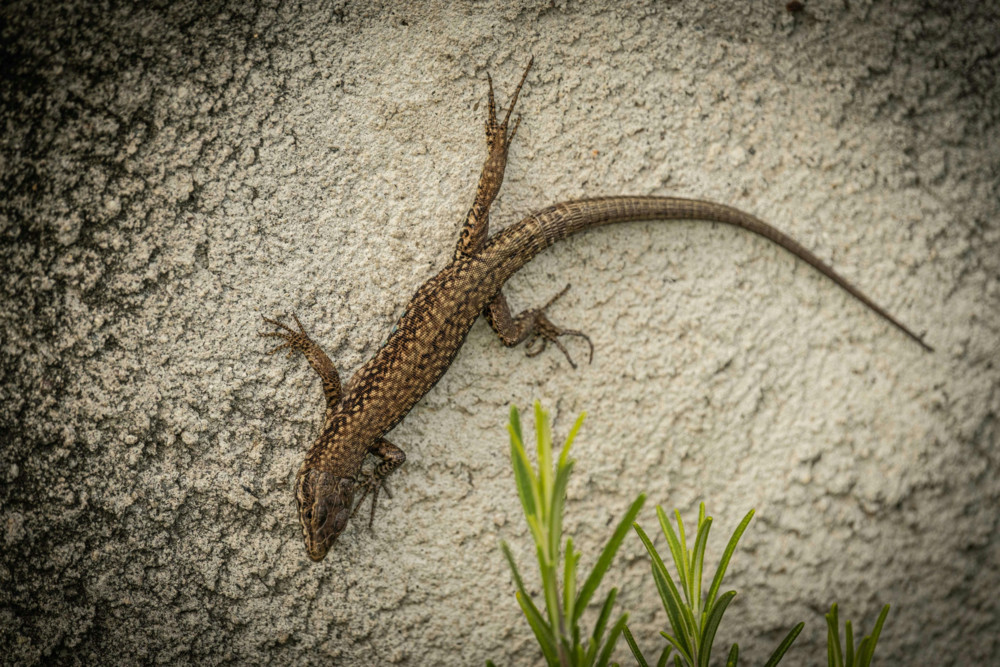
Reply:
x=172 y=171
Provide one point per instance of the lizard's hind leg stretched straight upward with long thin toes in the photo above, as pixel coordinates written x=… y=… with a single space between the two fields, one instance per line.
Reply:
x=477 y=221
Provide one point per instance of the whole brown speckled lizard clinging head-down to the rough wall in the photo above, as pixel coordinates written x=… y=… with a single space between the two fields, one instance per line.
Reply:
x=438 y=317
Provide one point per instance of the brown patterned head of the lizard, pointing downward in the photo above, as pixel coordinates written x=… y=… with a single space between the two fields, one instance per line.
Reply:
x=324 y=507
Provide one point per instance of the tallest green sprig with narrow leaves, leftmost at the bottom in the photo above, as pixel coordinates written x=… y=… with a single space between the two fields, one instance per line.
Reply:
x=543 y=496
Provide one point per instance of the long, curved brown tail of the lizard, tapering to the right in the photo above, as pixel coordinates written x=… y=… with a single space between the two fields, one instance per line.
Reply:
x=516 y=245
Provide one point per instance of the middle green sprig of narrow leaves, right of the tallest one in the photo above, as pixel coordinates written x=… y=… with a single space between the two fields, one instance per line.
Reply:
x=694 y=619
